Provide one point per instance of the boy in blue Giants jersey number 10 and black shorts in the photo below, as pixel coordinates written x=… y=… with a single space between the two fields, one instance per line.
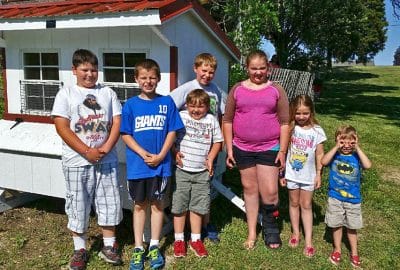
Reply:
x=148 y=128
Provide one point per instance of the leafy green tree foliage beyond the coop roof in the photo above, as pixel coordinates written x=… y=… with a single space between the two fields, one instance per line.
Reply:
x=304 y=30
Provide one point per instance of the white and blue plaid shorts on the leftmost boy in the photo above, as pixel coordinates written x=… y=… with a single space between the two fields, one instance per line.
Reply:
x=92 y=184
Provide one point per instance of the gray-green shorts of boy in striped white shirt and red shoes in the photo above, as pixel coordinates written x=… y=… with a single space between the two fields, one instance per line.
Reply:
x=191 y=192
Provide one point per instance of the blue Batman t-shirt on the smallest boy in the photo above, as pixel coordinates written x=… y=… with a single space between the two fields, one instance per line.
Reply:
x=344 y=178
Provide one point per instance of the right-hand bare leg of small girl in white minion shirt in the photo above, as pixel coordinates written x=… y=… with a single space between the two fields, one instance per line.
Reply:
x=306 y=215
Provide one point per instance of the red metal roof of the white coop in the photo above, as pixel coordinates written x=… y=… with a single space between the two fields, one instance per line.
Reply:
x=19 y=10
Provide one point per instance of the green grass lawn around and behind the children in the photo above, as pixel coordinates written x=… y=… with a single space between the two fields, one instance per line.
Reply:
x=35 y=236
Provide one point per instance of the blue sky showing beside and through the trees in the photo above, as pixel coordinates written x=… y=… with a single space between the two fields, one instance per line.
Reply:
x=384 y=57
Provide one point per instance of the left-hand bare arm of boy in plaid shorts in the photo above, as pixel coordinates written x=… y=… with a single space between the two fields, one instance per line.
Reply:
x=69 y=137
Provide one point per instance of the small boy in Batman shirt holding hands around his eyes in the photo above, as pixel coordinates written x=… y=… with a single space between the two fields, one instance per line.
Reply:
x=346 y=161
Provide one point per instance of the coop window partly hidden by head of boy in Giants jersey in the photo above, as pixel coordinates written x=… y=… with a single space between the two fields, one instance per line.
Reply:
x=119 y=67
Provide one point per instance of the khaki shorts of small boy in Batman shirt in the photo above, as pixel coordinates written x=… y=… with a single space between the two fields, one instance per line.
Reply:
x=346 y=214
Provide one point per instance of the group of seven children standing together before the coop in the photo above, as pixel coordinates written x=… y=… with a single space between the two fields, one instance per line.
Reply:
x=89 y=119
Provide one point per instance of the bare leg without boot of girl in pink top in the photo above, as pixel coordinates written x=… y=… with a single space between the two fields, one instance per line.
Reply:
x=251 y=199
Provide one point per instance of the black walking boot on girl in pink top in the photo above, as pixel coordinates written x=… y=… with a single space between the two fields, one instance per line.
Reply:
x=270 y=226
